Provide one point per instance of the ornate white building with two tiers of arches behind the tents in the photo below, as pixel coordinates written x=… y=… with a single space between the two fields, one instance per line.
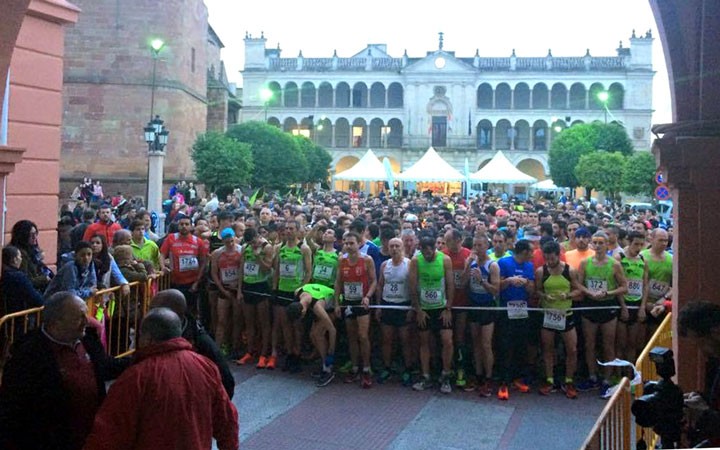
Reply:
x=465 y=107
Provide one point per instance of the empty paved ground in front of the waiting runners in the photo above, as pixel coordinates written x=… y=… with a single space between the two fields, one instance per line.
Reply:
x=282 y=411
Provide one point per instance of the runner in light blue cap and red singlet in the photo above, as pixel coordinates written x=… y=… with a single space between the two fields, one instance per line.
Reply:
x=224 y=271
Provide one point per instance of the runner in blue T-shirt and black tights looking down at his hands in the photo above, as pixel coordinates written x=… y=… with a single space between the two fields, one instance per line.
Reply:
x=516 y=287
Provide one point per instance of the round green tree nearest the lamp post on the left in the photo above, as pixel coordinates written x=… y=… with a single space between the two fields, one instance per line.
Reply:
x=221 y=163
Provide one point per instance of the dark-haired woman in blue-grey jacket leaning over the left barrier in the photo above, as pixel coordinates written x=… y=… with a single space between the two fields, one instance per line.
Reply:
x=77 y=277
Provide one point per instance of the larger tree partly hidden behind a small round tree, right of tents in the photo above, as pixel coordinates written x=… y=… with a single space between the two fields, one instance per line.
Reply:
x=578 y=140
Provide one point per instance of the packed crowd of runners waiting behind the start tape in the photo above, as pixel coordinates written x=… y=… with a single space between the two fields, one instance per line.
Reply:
x=489 y=295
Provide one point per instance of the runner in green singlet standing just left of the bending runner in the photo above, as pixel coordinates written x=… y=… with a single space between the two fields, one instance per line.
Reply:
x=292 y=269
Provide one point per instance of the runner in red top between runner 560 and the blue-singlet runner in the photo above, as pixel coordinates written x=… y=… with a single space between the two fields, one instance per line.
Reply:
x=458 y=255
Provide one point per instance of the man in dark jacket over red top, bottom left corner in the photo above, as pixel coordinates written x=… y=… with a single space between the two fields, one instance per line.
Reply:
x=54 y=382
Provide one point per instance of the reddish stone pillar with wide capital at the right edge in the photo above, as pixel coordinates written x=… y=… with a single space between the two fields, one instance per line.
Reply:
x=691 y=166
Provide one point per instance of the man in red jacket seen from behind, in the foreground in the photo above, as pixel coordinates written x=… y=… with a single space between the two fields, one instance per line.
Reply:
x=171 y=398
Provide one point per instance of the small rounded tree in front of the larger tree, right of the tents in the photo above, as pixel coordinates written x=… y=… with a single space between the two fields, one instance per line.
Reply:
x=602 y=171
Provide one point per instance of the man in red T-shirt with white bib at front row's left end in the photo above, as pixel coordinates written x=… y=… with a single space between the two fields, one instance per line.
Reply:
x=188 y=256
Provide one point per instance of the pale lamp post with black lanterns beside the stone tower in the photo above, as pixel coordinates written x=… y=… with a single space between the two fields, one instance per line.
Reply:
x=156 y=136
